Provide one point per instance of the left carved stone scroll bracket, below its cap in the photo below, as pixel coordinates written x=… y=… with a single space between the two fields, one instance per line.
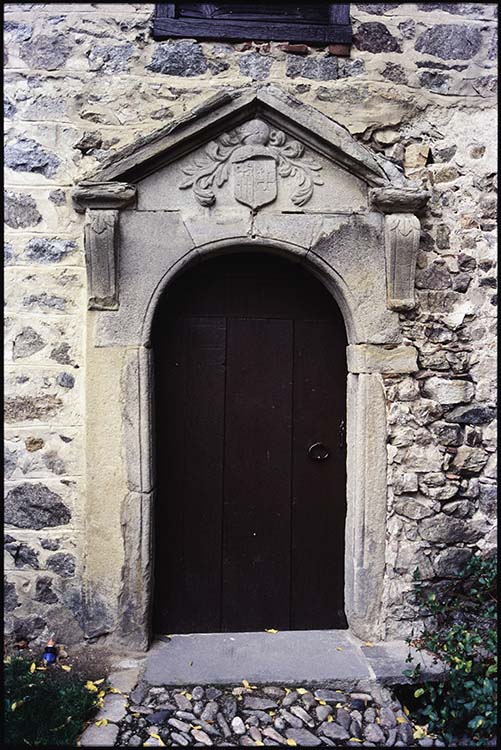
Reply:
x=102 y=258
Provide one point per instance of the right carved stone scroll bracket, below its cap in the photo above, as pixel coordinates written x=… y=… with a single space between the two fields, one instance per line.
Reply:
x=401 y=246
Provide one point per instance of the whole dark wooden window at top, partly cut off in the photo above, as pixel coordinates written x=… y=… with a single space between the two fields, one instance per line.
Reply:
x=309 y=22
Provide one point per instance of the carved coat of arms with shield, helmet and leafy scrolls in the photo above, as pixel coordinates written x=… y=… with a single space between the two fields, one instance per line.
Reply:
x=256 y=154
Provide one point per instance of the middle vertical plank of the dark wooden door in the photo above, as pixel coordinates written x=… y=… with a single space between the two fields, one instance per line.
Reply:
x=256 y=534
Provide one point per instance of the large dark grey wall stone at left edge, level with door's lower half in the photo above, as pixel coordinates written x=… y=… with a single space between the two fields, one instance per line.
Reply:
x=34 y=506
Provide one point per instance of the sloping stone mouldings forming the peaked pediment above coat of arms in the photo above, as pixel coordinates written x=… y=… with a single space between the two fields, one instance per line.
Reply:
x=226 y=111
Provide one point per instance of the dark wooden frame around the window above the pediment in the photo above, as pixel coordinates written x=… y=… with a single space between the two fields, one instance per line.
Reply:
x=337 y=30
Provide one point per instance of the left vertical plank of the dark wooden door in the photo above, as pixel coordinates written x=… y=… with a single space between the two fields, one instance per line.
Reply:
x=189 y=460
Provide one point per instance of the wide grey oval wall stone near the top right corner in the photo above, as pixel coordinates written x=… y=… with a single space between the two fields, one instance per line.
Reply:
x=450 y=41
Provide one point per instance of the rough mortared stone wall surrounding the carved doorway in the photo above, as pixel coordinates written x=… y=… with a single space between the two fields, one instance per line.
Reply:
x=83 y=80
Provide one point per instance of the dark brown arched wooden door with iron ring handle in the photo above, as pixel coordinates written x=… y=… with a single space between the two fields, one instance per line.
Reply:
x=250 y=373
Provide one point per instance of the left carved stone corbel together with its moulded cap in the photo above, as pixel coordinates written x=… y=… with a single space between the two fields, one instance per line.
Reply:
x=101 y=202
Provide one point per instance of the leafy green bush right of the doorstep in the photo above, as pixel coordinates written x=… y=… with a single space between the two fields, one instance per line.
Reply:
x=463 y=635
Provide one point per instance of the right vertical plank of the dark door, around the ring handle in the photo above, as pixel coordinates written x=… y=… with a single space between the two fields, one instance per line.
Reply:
x=319 y=487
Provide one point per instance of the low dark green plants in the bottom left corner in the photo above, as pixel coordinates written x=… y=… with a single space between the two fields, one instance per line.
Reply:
x=44 y=705
